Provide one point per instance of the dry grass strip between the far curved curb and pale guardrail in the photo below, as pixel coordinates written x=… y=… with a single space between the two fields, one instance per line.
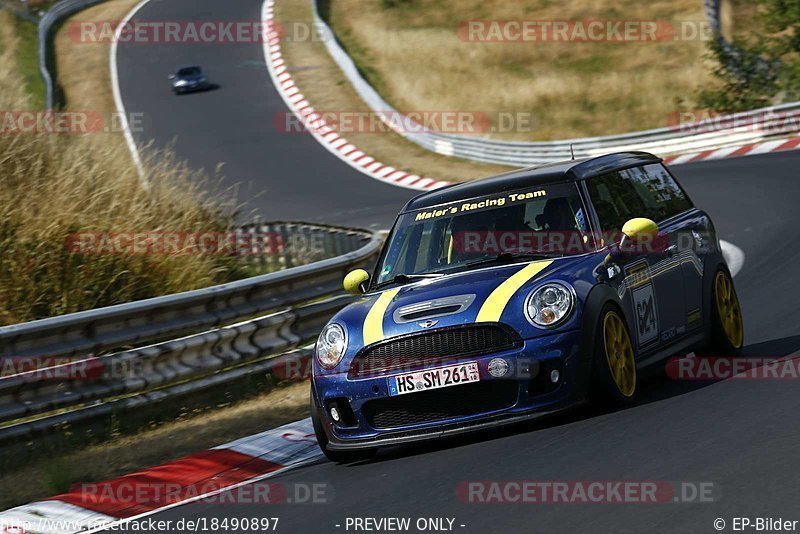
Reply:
x=320 y=79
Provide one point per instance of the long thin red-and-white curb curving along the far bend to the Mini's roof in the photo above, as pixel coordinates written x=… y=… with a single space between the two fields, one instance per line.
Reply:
x=314 y=124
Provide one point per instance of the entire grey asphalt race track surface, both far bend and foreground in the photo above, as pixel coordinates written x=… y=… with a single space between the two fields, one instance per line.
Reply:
x=740 y=435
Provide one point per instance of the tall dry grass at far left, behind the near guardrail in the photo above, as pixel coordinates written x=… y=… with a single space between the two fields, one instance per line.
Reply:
x=52 y=186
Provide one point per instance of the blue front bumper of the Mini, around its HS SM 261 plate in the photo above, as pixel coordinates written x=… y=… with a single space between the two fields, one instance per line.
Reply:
x=528 y=376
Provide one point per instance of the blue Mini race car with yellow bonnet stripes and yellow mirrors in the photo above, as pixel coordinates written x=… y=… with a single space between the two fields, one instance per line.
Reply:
x=519 y=295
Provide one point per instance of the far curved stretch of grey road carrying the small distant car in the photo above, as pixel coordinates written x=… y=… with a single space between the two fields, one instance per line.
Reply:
x=280 y=176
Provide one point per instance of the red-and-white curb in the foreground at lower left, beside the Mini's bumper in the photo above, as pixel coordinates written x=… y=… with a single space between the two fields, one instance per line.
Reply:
x=95 y=507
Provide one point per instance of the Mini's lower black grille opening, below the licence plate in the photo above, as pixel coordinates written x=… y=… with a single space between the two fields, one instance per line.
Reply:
x=441 y=404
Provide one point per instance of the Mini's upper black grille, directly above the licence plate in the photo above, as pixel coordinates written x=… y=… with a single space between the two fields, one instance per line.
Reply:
x=413 y=350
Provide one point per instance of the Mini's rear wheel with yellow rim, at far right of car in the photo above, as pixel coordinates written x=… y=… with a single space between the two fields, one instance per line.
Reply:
x=727 y=326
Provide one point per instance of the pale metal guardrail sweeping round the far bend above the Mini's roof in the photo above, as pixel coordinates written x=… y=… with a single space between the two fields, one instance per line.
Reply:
x=701 y=136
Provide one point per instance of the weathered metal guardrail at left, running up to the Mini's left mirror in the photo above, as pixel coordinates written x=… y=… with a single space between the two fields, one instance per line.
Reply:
x=123 y=357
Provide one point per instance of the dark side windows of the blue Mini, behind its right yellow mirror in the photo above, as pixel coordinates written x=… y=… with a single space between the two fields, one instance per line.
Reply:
x=647 y=191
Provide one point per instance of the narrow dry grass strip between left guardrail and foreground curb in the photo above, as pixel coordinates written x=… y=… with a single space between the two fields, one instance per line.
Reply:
x=154 y=447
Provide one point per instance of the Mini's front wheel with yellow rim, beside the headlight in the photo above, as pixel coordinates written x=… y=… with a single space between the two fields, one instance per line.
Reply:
x=614 y=376
